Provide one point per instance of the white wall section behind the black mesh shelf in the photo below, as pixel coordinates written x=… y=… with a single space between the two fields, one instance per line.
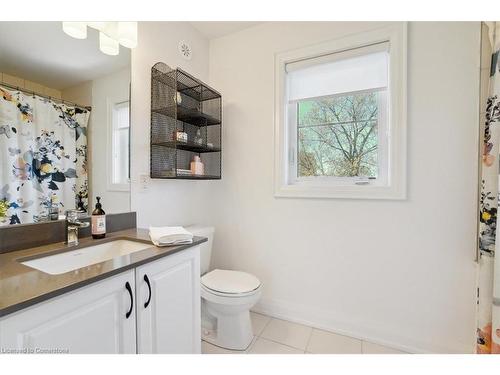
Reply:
x=165 y=202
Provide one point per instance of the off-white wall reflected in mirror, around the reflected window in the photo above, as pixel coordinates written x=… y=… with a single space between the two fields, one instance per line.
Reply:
x=113 y=88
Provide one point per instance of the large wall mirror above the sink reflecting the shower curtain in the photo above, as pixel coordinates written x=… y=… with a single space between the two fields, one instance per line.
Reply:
x=64 y=123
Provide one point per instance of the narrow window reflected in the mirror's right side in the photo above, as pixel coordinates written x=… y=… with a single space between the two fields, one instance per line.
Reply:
x=120 y=145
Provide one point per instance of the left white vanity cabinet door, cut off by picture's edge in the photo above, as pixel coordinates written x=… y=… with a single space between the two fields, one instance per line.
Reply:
x=91 y=319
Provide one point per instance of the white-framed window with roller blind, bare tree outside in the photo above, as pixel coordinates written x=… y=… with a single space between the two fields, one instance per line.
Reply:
x=340 y=129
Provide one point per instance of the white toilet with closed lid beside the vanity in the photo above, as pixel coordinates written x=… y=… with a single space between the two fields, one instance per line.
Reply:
x=226 y=300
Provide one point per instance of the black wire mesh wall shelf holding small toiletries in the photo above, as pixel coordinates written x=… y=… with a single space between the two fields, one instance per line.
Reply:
x=182 y=105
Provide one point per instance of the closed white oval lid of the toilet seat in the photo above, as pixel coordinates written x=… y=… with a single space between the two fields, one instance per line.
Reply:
x=230 y=282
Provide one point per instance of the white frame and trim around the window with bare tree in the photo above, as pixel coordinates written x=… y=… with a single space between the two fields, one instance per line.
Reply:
x=392 y=184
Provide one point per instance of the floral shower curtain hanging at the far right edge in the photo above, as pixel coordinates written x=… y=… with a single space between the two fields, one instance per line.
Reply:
x=488 y=328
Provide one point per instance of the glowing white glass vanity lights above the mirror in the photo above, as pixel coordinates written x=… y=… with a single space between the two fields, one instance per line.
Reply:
x=111 y=34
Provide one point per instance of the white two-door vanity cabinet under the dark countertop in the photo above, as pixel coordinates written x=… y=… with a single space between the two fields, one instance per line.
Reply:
x=110 y=316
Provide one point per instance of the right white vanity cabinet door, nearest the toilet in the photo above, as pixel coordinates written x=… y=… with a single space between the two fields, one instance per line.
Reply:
x=171 y=321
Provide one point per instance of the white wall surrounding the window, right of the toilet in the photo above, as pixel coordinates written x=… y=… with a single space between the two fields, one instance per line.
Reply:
x=395 y=272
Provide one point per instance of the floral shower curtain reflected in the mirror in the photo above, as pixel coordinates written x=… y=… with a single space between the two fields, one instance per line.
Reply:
x=43 y=156
